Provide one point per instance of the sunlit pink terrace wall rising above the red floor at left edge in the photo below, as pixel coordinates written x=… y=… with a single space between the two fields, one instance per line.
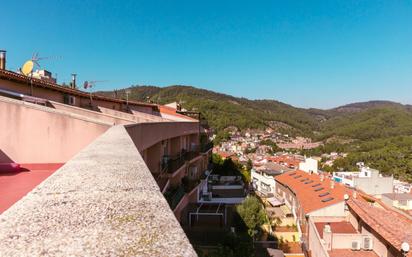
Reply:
x=36 y=134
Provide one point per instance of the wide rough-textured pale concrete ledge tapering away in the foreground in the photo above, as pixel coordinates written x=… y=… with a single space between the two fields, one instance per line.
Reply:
x=103 y=202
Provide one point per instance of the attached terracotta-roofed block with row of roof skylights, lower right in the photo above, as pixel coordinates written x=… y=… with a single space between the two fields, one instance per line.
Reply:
x=335 y=221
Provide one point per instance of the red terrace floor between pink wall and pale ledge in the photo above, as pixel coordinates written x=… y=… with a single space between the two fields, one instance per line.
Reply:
x=13 y=186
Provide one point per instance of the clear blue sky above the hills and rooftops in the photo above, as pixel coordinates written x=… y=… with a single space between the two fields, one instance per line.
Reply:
x=306 y=53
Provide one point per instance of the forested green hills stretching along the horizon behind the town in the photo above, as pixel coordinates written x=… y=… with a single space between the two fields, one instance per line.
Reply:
x=379 y=132
